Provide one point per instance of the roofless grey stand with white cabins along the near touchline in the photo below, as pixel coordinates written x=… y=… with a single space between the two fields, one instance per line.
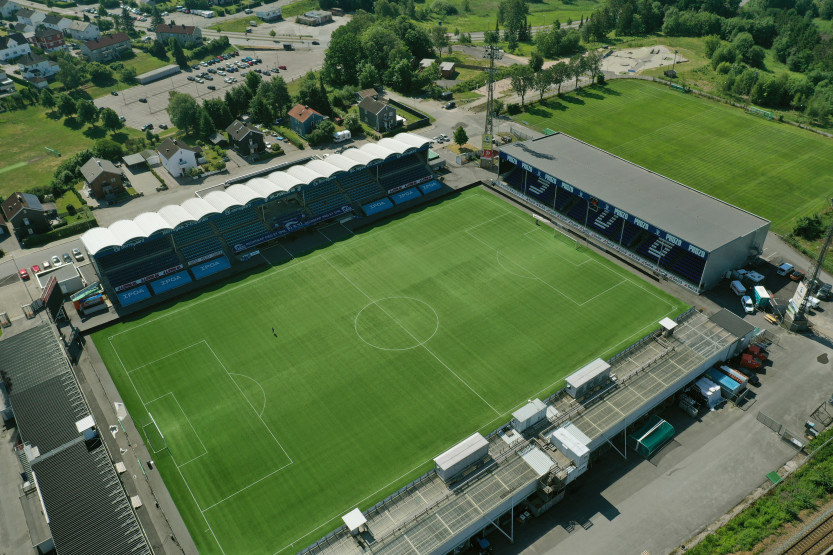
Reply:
x=532 y=465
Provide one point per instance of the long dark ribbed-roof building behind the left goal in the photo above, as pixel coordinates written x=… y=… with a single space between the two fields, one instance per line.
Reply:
x=72 y=498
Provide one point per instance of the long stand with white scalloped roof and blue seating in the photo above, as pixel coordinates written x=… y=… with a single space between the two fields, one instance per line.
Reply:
x=158 y=252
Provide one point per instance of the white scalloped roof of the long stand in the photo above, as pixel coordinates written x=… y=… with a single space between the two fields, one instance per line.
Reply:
x=254 y=190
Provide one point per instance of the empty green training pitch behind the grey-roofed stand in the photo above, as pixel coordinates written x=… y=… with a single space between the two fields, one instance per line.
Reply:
x=771 y=169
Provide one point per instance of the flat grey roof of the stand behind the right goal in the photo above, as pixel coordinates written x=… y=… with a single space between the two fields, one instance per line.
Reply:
x=689 y=214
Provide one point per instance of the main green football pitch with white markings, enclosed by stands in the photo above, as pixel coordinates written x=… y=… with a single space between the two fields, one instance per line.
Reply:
x=388 y=348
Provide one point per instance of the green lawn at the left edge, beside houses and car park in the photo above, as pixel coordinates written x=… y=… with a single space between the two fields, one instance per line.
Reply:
x=24 y=135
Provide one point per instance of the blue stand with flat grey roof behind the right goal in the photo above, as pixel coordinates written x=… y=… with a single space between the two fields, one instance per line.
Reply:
x=674 y=230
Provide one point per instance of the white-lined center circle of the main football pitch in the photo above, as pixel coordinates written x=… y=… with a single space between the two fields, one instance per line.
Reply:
x=397 y=323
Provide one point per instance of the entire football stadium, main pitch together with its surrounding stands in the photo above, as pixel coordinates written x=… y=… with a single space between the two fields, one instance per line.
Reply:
x=347 y=354
